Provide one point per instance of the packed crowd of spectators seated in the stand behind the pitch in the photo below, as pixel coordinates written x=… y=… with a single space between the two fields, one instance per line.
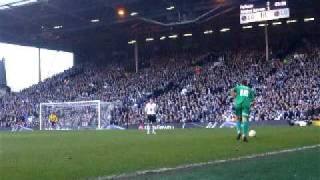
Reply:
x=186 y=87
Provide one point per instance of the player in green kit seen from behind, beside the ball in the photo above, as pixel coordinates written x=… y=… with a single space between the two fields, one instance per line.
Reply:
x=244 y=98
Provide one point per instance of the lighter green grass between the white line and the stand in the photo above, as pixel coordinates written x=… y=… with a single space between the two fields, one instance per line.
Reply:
x=85 y=154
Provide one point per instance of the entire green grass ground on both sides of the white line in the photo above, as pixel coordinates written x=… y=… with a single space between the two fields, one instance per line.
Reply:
x=93 y=154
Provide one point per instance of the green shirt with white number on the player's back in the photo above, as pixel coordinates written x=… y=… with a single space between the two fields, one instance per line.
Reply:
x=244 y=94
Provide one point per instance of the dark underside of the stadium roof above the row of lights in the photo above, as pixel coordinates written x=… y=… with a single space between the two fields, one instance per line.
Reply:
x=68 y=24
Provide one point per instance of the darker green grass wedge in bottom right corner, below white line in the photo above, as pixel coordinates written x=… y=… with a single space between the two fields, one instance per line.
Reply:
x=294 y=166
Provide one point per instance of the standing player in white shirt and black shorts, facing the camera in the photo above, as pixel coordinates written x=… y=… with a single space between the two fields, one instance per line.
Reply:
x=150 y=110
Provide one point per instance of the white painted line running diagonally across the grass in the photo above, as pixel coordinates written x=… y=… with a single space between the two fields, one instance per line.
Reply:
x=161 y=170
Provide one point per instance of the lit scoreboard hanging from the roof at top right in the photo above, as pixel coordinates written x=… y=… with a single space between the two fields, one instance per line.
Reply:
x=263 y=10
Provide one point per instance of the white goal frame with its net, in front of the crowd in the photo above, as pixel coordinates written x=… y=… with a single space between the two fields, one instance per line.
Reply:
x=78 y=115
